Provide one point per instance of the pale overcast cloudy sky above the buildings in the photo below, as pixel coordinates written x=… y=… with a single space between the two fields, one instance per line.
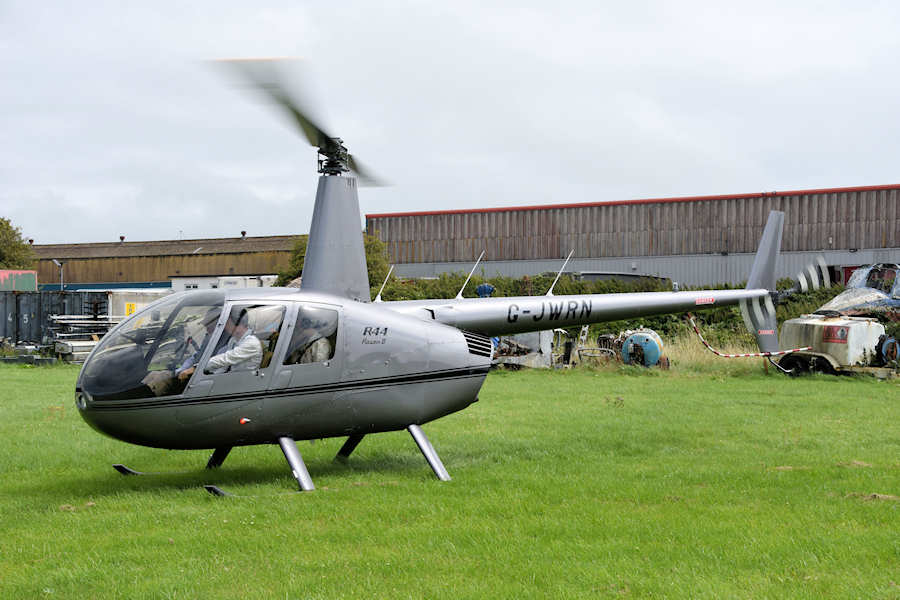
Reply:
x=113 y=120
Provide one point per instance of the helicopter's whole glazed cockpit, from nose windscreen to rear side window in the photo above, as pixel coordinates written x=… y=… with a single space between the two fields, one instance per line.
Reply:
x=155 y=352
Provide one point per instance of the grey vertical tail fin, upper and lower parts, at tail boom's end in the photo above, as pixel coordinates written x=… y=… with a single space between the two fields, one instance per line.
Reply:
x=759 y=313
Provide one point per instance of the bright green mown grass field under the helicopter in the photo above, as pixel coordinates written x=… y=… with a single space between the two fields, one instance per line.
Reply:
x=580 y=484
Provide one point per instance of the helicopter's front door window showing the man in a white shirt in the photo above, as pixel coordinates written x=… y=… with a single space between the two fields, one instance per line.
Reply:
x=248 y=339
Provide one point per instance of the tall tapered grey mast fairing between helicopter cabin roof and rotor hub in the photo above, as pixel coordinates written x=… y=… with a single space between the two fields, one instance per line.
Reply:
x=335 y=261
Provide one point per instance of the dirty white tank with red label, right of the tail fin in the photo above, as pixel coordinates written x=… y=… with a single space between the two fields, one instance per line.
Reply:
x=851 y=341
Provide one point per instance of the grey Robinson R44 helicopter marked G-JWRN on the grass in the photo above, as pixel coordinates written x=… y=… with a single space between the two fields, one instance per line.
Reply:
x=218 y=369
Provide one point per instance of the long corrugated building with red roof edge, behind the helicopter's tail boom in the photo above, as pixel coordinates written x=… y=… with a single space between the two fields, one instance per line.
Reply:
x=698 y=240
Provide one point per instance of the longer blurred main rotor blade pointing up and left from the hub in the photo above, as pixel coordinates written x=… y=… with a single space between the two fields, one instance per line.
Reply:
x=265 y=75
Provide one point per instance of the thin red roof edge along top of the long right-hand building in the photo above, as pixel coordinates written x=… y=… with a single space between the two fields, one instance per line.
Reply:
x=865 y=188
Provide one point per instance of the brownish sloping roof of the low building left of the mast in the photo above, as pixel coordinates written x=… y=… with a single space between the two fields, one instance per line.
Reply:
x=274 y=243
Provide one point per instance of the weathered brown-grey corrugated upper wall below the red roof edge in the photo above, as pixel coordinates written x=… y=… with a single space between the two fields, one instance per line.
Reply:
x=830 y=220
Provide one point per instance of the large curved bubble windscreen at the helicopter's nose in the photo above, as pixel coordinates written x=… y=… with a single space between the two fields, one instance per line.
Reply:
x=144 y=355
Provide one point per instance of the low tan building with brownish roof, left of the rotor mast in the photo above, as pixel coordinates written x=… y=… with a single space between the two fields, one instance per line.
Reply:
x=182 y=264
